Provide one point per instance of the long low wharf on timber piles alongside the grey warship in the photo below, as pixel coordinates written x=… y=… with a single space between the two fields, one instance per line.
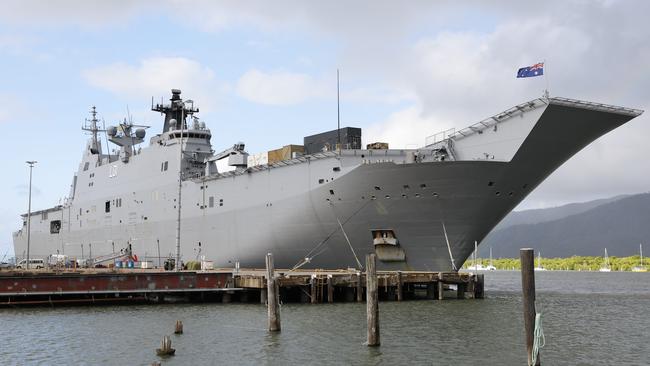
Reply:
x=96 y=286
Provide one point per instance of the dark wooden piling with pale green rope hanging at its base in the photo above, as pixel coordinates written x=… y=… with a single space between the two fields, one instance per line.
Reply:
x=527 y=257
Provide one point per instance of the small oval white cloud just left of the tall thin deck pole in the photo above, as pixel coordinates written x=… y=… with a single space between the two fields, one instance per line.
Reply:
x=278 y=88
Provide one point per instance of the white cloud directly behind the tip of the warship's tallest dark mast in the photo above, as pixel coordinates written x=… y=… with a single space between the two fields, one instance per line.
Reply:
x=156 y=75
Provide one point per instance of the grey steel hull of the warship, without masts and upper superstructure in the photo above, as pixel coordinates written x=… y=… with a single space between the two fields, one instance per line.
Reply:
x=325 y=212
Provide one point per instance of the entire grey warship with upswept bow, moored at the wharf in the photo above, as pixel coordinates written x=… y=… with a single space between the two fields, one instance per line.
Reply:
x=417 y=209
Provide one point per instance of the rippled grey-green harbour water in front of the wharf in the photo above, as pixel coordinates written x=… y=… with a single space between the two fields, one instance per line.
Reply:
x=589 y=318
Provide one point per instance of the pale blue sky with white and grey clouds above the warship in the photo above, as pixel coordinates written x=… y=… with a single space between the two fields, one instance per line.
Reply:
x=264 y=73
